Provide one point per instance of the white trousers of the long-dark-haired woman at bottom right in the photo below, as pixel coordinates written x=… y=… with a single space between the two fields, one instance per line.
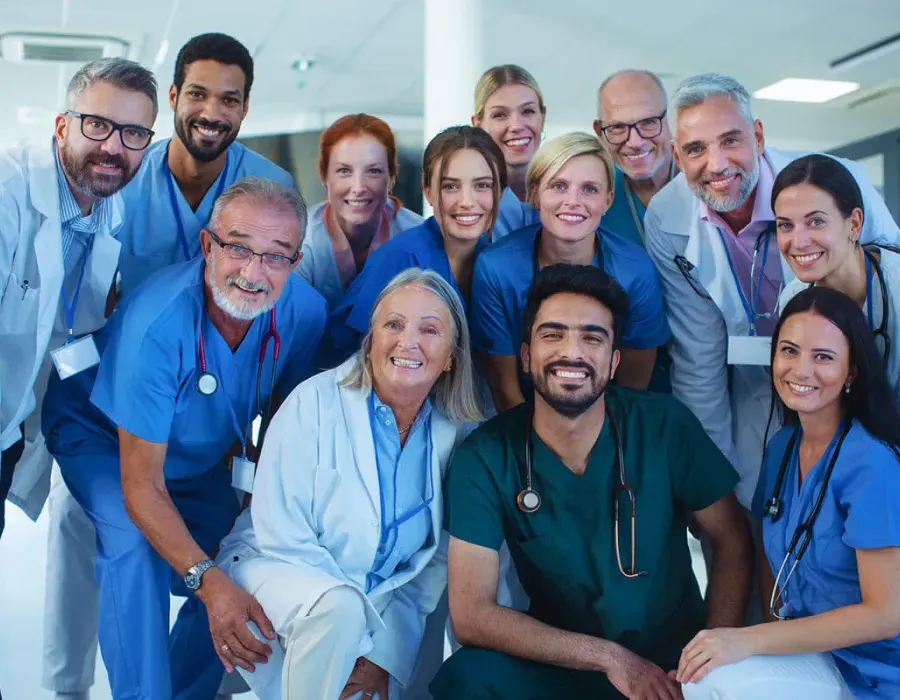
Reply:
x=796 y=677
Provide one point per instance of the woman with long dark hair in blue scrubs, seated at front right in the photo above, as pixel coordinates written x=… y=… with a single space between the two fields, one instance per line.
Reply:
x=827 y=498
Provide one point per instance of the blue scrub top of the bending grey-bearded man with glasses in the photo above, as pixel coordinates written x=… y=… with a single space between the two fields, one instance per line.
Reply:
x=146 y=380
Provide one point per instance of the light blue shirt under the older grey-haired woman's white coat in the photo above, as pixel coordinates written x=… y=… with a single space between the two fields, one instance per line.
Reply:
x=405 y=486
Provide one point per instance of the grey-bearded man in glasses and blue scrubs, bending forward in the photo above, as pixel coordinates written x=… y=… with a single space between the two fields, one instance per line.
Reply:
x=150 y=444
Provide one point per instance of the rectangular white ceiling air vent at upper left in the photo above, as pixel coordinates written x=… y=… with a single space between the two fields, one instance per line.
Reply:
x=59 y=48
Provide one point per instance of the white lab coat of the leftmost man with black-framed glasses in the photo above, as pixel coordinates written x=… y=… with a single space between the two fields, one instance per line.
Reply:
x=31 y=275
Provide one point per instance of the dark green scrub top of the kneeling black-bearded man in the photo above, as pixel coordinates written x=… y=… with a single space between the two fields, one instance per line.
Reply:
x=565 y=553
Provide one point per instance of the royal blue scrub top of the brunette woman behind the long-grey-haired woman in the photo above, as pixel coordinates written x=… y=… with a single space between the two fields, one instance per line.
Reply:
x=422 y=246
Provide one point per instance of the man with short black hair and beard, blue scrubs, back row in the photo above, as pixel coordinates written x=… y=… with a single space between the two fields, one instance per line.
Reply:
x=171 y=198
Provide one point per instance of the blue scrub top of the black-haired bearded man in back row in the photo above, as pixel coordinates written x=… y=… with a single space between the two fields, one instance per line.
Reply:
x=149 y=234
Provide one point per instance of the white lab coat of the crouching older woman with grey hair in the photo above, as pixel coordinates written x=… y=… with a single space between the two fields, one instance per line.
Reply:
x=315 y=524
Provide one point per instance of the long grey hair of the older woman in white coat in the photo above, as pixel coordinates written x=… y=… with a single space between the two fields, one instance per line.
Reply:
x=453 y=394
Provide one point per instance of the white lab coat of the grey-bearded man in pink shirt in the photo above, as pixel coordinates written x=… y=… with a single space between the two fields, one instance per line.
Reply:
x=732 y=403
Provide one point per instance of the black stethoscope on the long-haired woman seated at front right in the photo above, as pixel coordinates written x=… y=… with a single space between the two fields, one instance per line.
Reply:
x=774 y=509
